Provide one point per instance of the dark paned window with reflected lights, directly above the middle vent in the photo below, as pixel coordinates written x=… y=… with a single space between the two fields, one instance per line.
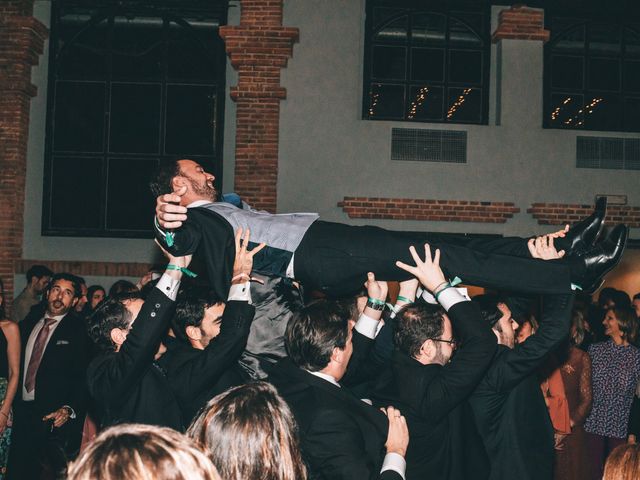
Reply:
x=426 y=65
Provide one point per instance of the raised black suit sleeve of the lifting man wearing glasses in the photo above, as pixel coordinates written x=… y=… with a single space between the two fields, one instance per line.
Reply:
x=467 y=367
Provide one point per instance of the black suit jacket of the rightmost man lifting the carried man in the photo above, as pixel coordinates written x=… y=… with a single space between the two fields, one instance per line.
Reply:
x=508 y=406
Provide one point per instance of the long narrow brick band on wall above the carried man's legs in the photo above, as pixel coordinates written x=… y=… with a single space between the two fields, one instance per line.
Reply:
x=428 y=210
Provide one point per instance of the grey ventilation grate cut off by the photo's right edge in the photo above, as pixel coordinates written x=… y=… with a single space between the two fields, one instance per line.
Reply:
x=608 y=152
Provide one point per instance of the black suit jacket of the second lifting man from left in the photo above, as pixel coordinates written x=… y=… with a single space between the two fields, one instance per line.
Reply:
x=195 y=375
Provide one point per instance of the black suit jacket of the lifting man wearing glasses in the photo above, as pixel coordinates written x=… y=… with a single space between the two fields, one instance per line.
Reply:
x=429 y=396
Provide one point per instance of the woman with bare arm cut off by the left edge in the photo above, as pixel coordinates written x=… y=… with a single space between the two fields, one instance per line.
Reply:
x=9 y=372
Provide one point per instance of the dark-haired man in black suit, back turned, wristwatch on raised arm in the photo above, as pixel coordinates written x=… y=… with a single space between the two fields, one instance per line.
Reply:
x=341 y=436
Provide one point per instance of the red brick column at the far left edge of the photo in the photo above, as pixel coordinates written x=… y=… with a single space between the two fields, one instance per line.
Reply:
x=21 y=42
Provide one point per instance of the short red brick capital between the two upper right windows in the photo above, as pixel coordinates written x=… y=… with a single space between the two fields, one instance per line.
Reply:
x=521 y=23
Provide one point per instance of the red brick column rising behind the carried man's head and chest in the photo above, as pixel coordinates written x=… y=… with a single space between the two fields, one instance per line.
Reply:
x=258 y=48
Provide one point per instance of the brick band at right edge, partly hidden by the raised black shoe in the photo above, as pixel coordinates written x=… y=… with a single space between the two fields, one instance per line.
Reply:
x=563 y=213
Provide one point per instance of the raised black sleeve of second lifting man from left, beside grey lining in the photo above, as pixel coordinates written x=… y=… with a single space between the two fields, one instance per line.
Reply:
x=223 y=351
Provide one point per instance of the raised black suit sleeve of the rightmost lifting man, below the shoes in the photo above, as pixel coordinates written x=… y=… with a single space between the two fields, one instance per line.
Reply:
x=520 y=361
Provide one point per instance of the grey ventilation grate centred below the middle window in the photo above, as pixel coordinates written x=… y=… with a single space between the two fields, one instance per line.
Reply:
x=409 y=144
